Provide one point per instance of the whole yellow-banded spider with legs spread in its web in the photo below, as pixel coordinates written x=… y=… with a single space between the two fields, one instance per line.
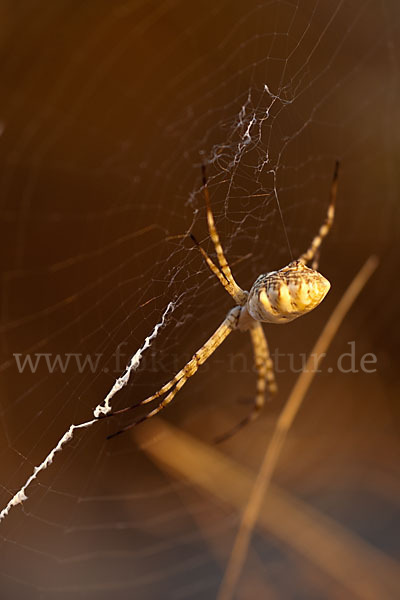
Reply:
x=275 y=297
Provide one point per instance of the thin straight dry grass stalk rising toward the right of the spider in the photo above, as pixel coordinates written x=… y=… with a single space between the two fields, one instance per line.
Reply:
x=289 y=412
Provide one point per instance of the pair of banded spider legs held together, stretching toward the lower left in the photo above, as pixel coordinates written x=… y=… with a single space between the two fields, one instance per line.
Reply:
x=178 y=381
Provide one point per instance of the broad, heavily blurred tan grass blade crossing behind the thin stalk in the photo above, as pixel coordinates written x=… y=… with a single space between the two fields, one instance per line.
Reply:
x=363 y=571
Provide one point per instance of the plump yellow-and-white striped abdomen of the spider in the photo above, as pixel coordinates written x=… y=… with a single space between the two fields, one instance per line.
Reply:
x=281 y=296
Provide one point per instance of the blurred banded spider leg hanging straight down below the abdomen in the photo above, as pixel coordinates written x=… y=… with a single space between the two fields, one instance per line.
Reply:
x=265 y=379
